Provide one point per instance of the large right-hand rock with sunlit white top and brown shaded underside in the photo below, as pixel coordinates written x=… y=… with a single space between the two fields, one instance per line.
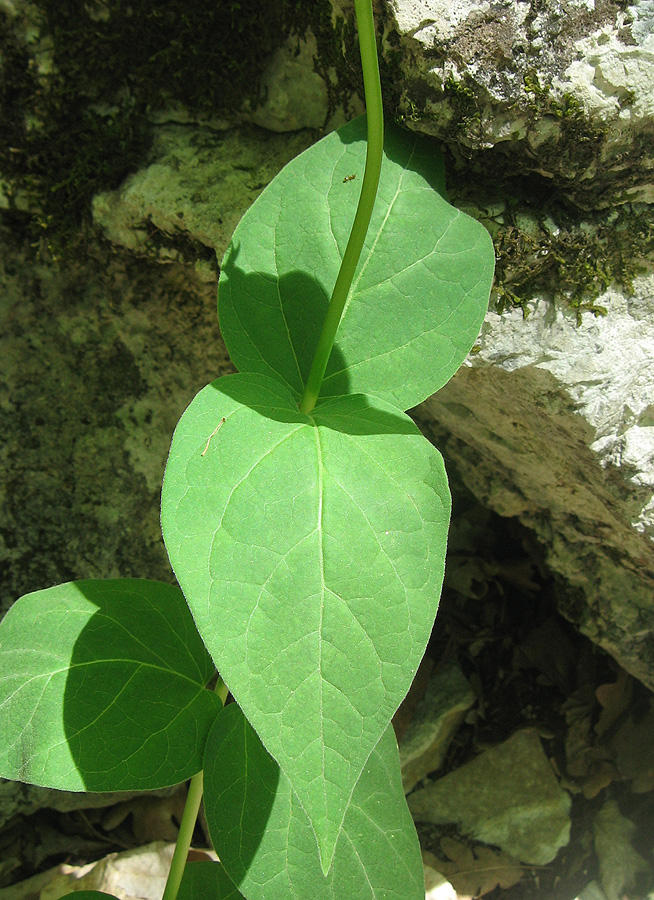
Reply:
x=552 y=422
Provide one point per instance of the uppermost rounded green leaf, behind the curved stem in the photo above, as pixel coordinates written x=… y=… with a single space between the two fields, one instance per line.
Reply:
x=421 y=289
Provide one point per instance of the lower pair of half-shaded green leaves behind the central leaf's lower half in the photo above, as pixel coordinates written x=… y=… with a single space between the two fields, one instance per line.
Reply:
x=112 y=696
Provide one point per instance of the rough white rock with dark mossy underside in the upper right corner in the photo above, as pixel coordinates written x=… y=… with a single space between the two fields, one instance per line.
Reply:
x=563 y=88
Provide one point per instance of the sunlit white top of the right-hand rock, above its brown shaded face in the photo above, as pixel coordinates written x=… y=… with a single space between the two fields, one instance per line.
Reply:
x=605 y=364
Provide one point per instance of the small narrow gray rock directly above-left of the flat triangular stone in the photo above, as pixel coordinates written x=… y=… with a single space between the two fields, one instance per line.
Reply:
x=436 y=720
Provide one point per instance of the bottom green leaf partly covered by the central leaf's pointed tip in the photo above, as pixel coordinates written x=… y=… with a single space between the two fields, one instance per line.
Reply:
x=266 y=843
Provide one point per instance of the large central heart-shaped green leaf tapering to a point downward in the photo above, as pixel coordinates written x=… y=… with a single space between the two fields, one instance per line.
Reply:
x=311 y=552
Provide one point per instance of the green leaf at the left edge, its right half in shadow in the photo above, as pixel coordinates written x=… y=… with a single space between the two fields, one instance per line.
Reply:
x=102 y=687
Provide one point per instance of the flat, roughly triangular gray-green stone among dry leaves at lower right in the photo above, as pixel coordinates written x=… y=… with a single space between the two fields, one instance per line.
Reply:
x=508 y=796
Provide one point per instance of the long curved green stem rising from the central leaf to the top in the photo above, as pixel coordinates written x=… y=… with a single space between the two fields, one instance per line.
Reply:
x=375 y=123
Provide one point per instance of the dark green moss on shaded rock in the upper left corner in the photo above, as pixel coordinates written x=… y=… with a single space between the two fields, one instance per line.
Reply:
x=82 y=126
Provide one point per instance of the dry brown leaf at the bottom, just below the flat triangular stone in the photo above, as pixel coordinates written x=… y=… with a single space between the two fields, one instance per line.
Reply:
x=479 y=871
